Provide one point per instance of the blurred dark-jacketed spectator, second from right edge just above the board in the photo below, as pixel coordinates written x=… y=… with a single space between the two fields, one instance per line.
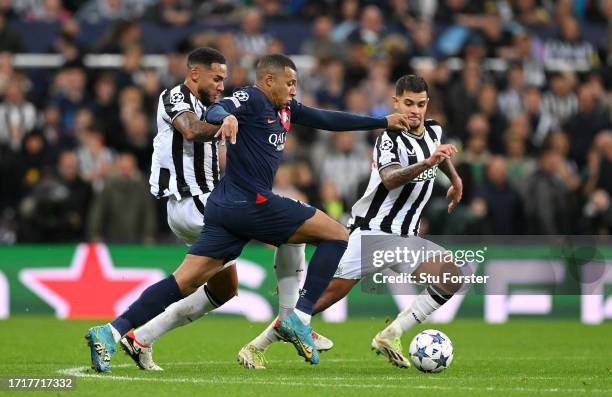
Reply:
x=547 y=204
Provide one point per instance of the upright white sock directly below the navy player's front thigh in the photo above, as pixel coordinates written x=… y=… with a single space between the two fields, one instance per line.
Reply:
x=289 y=263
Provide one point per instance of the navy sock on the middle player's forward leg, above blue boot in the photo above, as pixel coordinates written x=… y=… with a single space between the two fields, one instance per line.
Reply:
x=321 y=269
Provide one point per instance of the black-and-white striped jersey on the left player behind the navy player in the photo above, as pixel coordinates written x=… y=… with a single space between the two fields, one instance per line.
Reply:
x=181 y=168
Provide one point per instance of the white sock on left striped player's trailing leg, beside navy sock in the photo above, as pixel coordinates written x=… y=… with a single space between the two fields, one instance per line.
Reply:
x=176 y=315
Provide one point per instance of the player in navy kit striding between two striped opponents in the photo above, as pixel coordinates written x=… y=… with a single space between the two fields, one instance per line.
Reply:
x=243 y=206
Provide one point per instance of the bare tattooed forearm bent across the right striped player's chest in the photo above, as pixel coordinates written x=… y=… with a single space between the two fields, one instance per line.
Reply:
x=394 y=175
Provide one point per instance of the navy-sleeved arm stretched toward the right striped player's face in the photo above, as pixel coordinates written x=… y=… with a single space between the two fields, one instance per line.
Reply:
x=344 y=121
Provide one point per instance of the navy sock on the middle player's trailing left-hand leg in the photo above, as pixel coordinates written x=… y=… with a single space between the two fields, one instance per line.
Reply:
x=151 y=302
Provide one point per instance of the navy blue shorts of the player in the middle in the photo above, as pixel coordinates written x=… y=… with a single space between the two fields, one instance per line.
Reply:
x=227 y=230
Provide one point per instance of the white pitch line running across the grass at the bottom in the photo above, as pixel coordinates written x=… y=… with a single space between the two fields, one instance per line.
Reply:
x=78 y=372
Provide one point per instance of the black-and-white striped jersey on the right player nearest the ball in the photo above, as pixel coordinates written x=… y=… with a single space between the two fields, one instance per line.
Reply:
x=398 y=211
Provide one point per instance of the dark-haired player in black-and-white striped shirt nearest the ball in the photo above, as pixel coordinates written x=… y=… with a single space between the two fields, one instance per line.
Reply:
x=401 y=182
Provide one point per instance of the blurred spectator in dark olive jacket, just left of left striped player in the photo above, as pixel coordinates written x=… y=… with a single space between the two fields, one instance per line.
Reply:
x=123 y=211
